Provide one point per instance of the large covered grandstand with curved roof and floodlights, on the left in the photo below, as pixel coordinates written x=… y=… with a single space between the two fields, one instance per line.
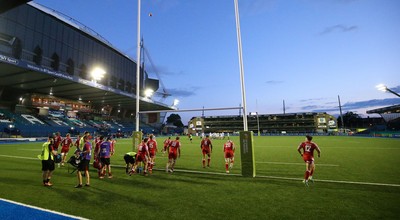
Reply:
x=57 y=75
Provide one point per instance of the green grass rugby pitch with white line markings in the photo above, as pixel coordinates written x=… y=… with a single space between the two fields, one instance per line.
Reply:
x=184 y=195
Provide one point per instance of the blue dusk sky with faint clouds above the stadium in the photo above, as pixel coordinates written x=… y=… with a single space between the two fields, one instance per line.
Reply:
x=306 y=52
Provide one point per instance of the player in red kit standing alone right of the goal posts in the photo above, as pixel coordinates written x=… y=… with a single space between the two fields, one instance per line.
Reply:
x=306 y=150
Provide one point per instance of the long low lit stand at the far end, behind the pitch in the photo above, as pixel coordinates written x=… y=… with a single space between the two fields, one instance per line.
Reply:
x=292 y=123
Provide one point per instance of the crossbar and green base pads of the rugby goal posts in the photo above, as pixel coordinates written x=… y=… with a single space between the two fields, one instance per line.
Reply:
x=246 y=140
